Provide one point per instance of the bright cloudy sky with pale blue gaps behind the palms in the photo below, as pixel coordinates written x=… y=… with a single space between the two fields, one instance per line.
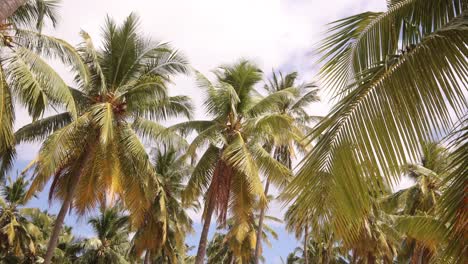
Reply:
x=276 y=34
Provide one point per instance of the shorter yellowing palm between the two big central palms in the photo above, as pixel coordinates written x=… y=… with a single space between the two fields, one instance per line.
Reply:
x=173 y=223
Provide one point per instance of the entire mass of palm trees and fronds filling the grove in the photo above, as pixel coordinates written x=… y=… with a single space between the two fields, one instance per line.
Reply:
x=398 y=82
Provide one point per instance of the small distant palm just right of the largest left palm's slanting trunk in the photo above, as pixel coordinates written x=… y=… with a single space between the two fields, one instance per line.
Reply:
x=111 y=242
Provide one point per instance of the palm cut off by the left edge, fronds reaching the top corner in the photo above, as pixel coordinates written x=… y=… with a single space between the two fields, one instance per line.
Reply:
x=24 y=74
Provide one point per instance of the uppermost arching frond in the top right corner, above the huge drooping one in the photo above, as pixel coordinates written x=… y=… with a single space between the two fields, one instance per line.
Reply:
x=360 y=42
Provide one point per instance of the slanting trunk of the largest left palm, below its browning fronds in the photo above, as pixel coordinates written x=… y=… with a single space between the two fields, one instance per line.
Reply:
x=60 y=218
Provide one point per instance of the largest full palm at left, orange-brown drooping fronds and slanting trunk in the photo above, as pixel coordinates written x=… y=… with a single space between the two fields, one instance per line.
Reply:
x=93 y=152
